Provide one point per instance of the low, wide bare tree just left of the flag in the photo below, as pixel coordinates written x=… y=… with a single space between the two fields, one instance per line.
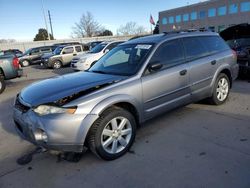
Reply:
x=131 y=28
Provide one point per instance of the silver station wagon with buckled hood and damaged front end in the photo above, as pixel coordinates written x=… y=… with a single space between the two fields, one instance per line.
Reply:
x=139 y=79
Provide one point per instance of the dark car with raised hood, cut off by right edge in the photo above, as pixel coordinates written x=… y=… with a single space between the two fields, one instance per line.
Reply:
x=238 y=38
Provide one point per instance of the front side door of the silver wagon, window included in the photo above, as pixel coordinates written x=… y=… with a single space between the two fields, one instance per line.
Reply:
x=168 y=87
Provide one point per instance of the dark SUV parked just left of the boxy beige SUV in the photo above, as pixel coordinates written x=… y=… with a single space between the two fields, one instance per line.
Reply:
x=33 y=55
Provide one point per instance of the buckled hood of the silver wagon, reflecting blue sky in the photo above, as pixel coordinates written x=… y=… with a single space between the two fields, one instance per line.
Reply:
x=54 y=89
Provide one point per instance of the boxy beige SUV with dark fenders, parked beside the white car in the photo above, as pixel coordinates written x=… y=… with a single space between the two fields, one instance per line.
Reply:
x=61 y=56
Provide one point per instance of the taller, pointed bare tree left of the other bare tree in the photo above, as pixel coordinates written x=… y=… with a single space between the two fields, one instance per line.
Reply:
x=87 y=26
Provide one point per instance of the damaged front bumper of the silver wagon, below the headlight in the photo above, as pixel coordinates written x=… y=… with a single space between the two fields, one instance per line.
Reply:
x=62 y=132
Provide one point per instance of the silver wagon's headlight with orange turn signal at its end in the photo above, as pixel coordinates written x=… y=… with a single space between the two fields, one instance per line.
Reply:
x=45 y=110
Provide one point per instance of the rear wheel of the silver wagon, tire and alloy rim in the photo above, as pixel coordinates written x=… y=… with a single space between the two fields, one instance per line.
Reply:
x=221 y=90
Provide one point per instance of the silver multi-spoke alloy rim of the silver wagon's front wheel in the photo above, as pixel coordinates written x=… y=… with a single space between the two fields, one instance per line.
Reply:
x=116 y=135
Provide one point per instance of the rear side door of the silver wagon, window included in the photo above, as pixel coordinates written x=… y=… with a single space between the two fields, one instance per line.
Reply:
x=202 y=66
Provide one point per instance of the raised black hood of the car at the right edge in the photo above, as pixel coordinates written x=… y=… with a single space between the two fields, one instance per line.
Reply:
x=236 y=32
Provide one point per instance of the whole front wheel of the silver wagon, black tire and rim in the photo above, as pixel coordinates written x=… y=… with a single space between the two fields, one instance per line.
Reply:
x=112 y=134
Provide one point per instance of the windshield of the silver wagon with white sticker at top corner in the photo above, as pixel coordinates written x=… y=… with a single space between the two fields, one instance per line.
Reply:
x=123 y=60
